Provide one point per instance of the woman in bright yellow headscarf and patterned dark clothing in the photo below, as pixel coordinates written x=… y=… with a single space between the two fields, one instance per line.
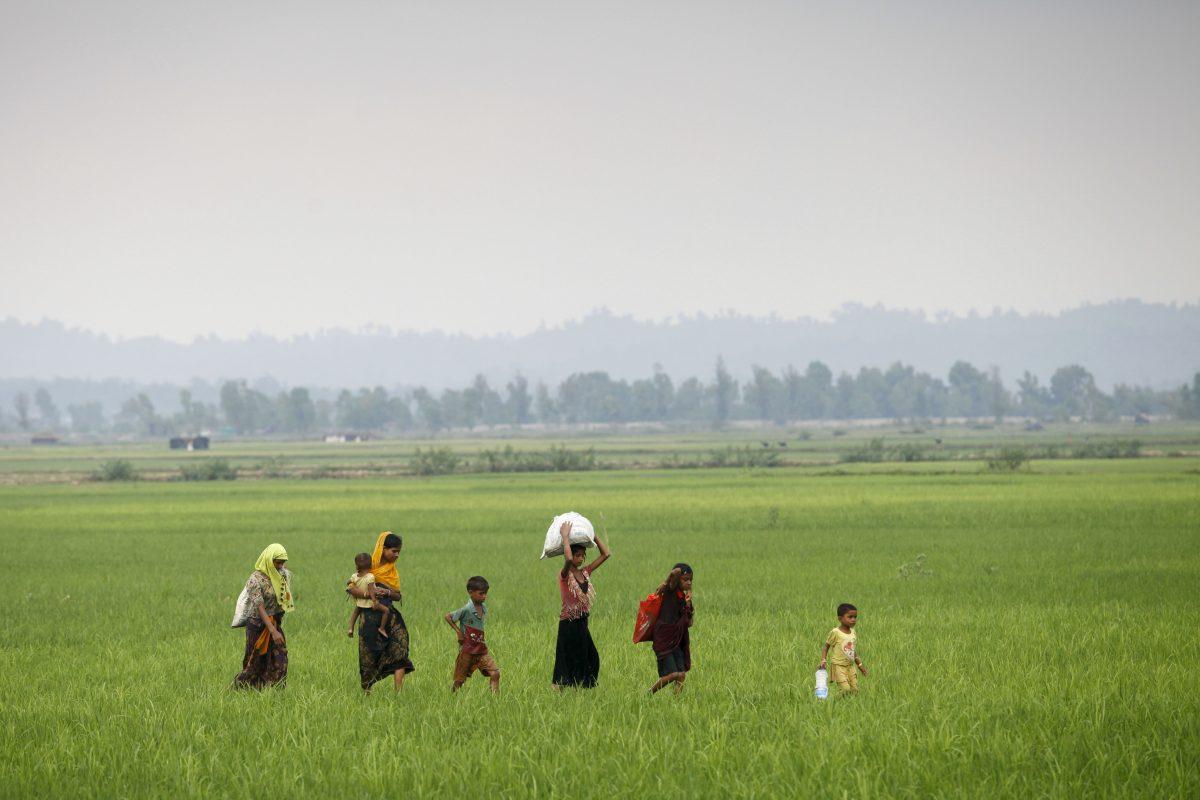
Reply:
x=269 y=593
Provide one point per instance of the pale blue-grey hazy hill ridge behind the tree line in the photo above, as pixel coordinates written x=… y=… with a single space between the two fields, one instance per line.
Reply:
x=1130 y=341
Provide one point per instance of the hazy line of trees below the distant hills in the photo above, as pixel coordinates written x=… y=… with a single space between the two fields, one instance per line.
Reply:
x=899 y=393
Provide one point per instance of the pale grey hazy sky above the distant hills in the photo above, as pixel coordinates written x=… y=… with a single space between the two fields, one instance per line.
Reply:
x=226 y=167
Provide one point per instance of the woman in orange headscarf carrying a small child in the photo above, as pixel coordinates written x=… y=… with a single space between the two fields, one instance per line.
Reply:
x=383 y=655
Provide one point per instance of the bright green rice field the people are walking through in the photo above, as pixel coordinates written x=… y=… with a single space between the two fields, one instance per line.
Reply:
x=1046 y=648
